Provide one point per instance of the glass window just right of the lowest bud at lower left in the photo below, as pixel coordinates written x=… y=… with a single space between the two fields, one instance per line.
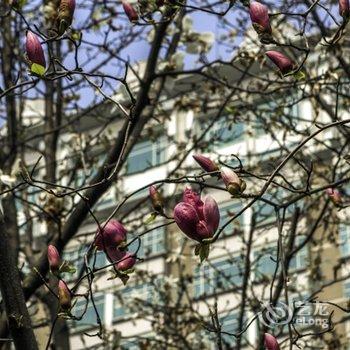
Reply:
x=89 y=319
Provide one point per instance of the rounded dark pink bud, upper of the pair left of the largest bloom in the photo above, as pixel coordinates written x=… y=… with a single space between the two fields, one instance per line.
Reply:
x=110 y=235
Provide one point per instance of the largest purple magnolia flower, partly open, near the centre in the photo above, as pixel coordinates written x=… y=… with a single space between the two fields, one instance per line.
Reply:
x=196 y=219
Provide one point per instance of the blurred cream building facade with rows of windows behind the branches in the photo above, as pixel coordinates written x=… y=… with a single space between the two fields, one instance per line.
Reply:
x=169 y=276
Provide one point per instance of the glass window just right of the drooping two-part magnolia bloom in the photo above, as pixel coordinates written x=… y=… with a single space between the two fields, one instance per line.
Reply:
x=152 y=243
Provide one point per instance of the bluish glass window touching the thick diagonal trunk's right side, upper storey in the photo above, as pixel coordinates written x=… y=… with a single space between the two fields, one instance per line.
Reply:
x=146 y=154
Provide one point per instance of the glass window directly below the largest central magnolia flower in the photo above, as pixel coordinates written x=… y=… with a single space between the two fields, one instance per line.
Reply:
x=217 y=276
